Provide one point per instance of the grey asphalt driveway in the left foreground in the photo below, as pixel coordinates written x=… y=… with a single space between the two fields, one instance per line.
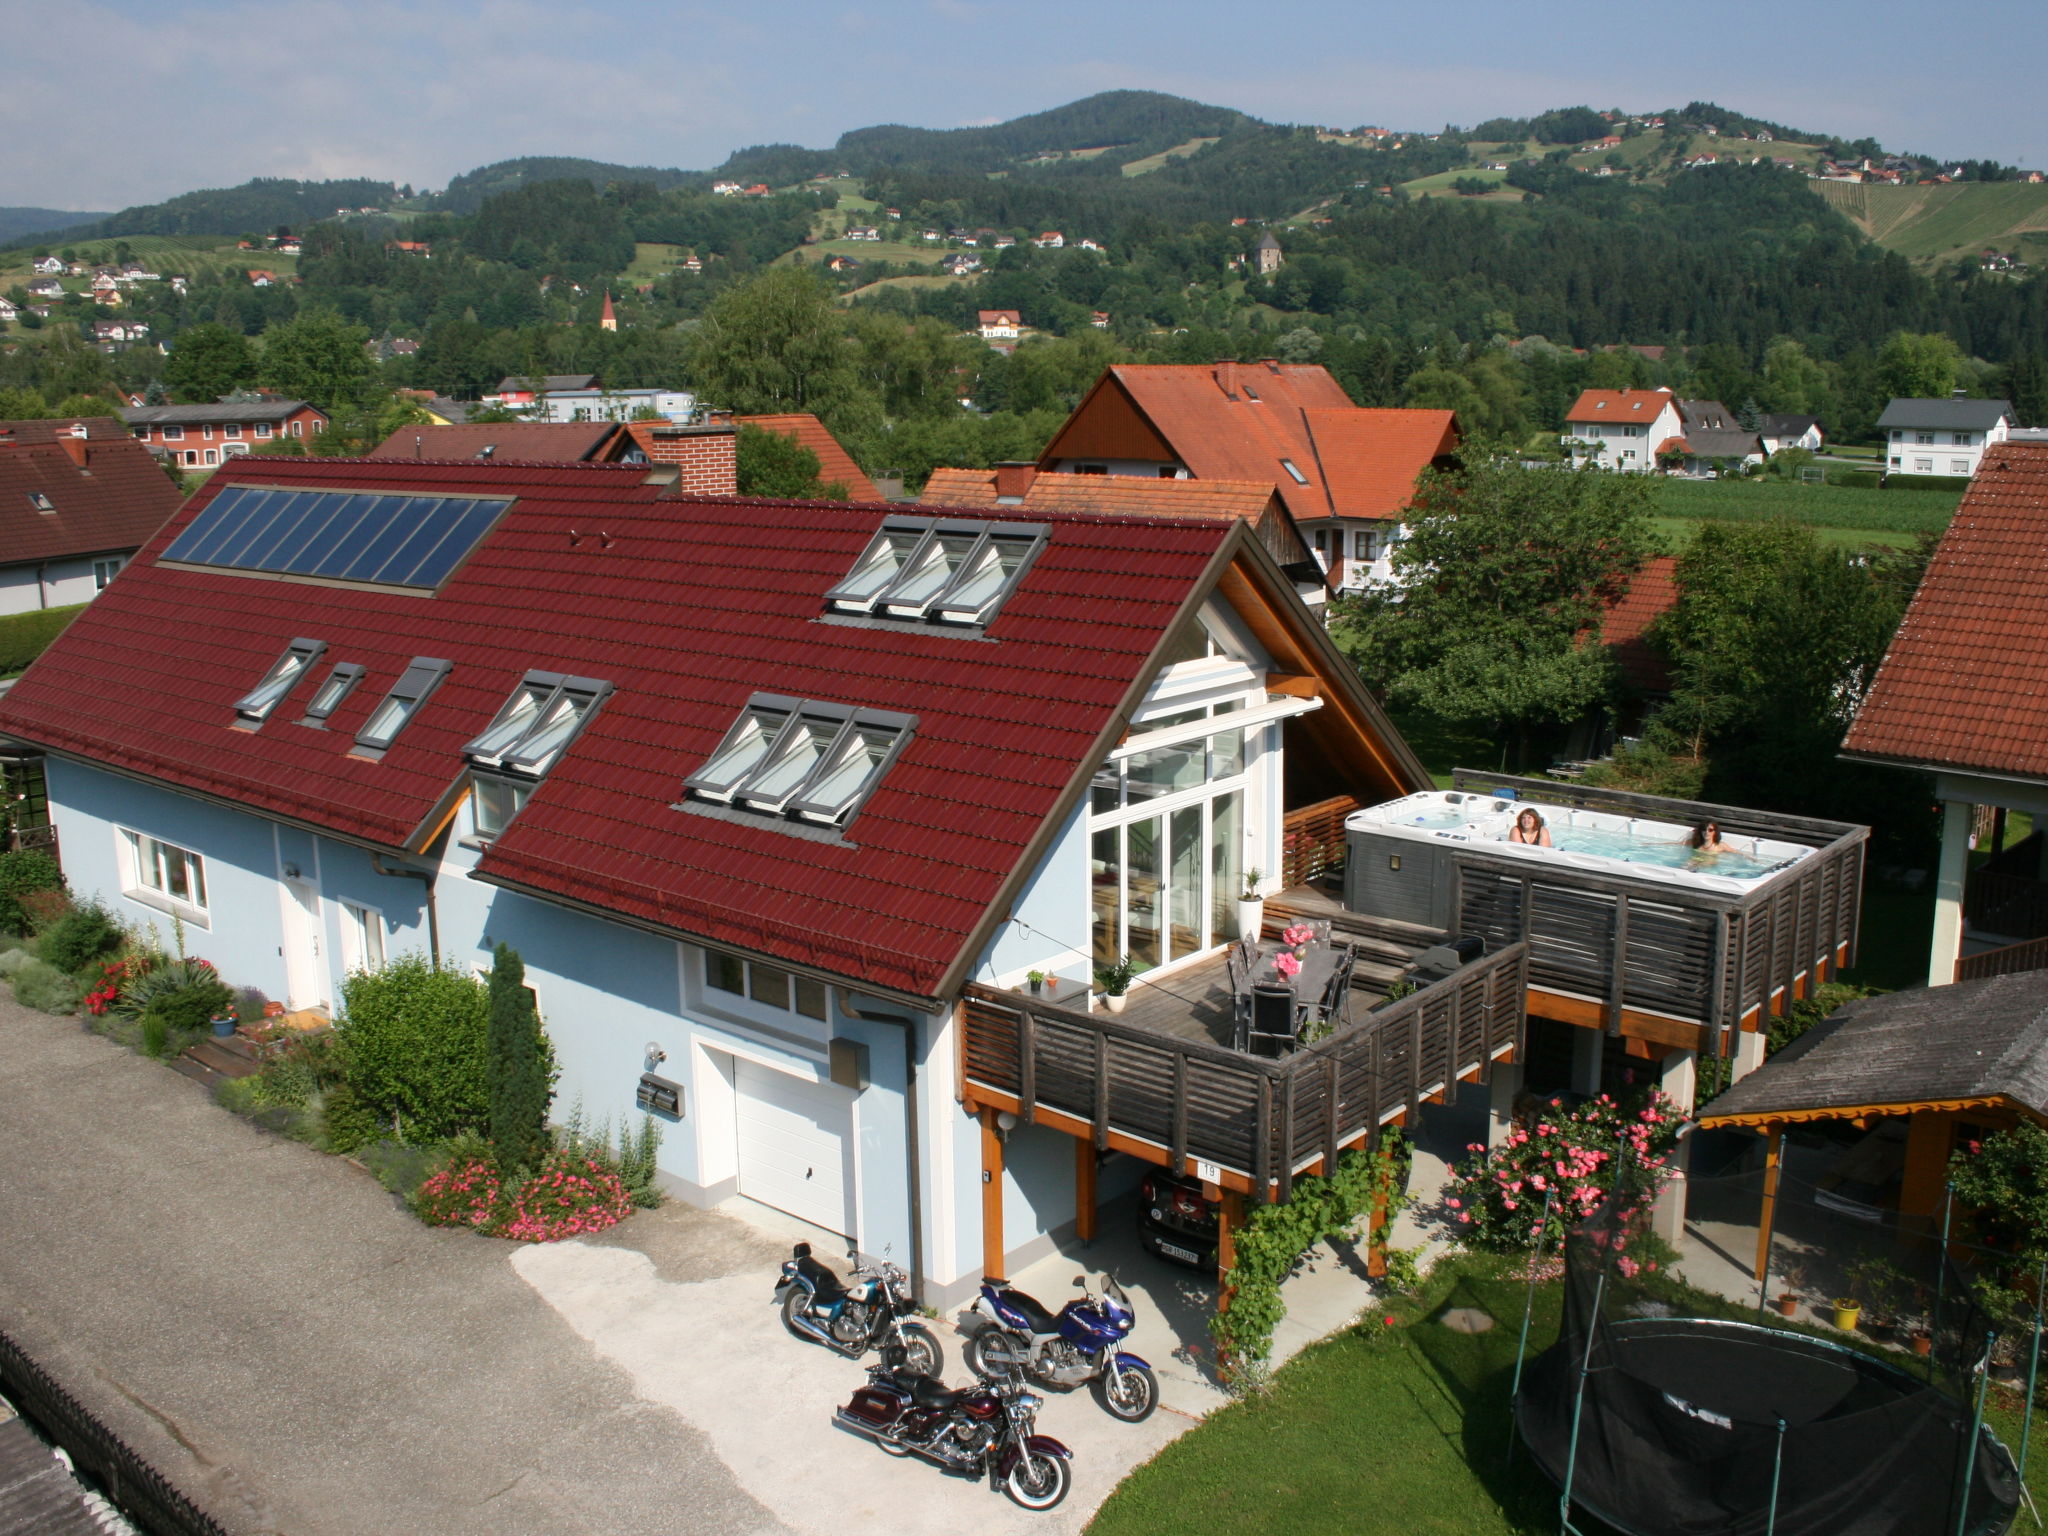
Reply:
x=273 y=1332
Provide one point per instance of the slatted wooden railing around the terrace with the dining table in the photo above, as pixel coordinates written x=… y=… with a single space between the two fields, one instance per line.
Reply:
x=1261 y=1119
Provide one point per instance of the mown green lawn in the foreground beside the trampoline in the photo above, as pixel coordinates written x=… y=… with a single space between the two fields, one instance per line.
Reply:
x=1388 y=1433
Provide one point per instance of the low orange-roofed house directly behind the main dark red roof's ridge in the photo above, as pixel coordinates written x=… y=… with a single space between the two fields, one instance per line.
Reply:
x=1037 y=495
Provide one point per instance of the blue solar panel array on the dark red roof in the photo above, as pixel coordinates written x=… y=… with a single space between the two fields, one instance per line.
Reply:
x=374 y=538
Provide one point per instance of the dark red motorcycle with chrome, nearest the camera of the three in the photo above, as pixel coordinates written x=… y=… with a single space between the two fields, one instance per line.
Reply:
x=984 y=1431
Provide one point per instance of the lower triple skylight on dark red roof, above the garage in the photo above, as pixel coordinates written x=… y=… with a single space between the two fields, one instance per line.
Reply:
x=802 y=759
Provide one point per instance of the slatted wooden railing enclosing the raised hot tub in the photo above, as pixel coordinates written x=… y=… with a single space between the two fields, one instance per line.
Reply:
x=1652 y=947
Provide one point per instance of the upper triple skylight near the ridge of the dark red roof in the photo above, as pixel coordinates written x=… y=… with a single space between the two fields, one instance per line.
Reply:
x=933 y=570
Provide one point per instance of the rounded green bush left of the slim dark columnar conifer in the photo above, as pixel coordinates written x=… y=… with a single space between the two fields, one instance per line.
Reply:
x=415 y=1048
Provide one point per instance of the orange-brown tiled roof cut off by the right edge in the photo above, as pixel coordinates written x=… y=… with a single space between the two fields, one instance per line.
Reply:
x=1965 y=683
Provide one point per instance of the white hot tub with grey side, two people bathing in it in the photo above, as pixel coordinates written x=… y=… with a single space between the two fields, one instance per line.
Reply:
x=1402 y=851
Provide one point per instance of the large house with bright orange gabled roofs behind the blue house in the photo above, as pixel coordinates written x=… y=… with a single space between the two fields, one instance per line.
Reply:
x=1347 y=474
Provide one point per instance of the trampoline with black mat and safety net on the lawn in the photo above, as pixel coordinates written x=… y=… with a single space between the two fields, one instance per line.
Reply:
x=1664 y=1424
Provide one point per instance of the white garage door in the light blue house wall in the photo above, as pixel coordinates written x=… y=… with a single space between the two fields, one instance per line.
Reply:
x=796 y=1144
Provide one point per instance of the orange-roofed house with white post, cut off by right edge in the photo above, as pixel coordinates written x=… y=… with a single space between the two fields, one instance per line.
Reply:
x=1963 y=695
